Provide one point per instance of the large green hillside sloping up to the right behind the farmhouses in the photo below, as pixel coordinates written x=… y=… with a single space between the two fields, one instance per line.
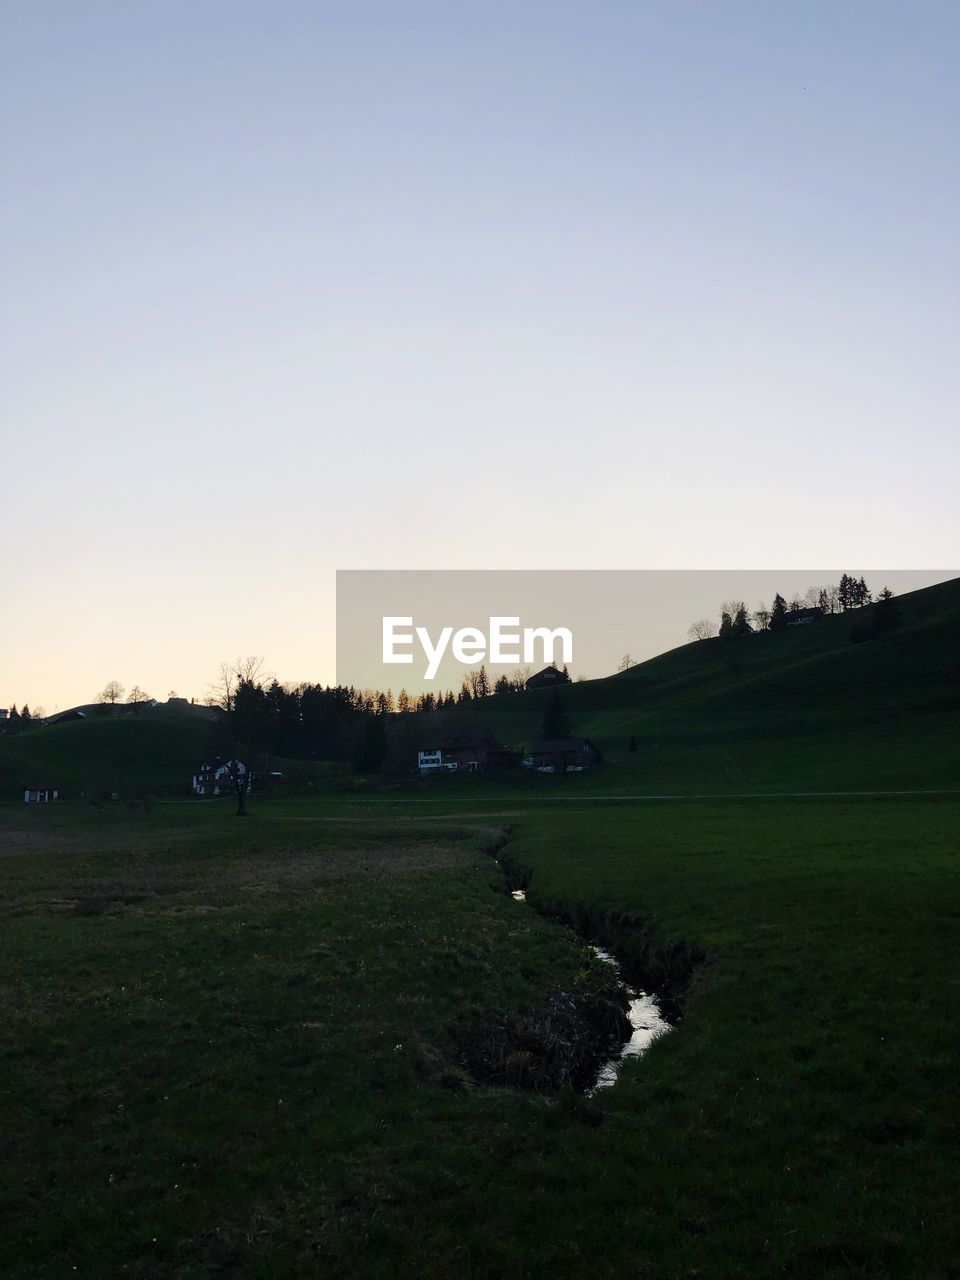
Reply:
x=806 y=707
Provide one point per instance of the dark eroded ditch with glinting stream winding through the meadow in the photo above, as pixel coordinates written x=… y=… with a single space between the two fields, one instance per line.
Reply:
x=632 y=996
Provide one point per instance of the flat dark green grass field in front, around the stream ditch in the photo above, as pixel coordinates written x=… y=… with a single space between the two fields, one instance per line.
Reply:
x=249 y=1048
